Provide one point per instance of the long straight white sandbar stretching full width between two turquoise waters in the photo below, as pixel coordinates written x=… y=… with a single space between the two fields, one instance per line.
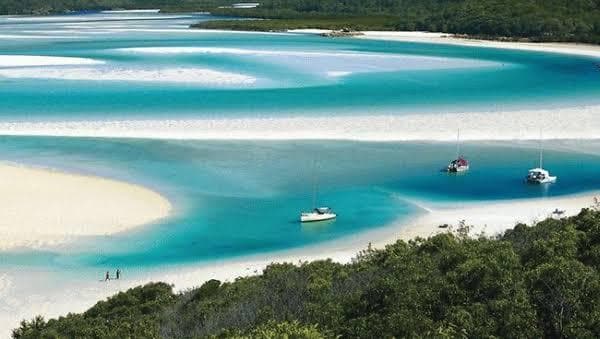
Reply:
x=557 y=123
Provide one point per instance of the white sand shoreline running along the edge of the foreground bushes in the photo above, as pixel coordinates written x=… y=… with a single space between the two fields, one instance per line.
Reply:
x=504 y=214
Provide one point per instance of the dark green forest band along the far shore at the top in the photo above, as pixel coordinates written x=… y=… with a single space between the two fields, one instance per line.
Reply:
x=535 y=20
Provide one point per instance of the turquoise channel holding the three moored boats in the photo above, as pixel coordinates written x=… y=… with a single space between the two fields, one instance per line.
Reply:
x=240 y=198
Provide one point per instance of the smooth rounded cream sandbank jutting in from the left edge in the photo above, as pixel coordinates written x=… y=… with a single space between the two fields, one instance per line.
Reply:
x=42 y=208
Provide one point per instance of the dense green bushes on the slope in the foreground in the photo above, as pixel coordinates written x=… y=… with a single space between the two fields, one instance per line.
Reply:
x=531 y=282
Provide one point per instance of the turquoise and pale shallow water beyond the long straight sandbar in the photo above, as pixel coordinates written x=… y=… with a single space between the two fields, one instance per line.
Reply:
x=287 y=83
